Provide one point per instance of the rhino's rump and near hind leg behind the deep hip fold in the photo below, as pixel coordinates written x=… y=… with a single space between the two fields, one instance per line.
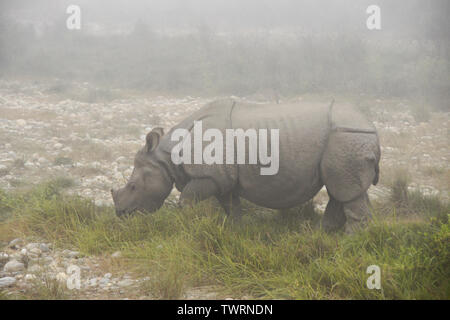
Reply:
x=348 y=167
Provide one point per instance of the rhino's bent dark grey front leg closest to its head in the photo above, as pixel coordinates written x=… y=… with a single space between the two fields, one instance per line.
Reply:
x=198 y=190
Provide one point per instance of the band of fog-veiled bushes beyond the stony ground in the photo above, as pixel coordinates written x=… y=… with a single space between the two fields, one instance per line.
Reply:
x=207 y=63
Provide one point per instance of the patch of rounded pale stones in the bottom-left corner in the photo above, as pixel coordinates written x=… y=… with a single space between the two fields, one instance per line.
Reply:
x=29 y=267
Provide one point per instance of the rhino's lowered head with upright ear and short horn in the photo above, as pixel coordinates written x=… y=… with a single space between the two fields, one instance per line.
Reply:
x=149 y=184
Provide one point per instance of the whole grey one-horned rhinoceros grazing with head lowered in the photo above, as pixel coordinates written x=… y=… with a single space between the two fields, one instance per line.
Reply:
x=318 y=145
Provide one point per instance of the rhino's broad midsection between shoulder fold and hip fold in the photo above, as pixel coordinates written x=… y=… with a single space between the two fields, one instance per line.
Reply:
x=303 y=130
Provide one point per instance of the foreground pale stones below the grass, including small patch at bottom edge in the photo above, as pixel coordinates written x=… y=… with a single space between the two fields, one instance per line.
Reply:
x=36 y=269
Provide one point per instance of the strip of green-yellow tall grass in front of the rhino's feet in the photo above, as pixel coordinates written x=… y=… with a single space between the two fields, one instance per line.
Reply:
x=266 y=255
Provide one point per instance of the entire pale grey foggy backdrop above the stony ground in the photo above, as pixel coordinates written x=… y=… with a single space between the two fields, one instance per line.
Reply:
x=211 y=47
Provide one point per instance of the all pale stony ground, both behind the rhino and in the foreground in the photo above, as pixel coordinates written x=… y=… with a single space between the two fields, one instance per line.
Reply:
x=44 y=135
